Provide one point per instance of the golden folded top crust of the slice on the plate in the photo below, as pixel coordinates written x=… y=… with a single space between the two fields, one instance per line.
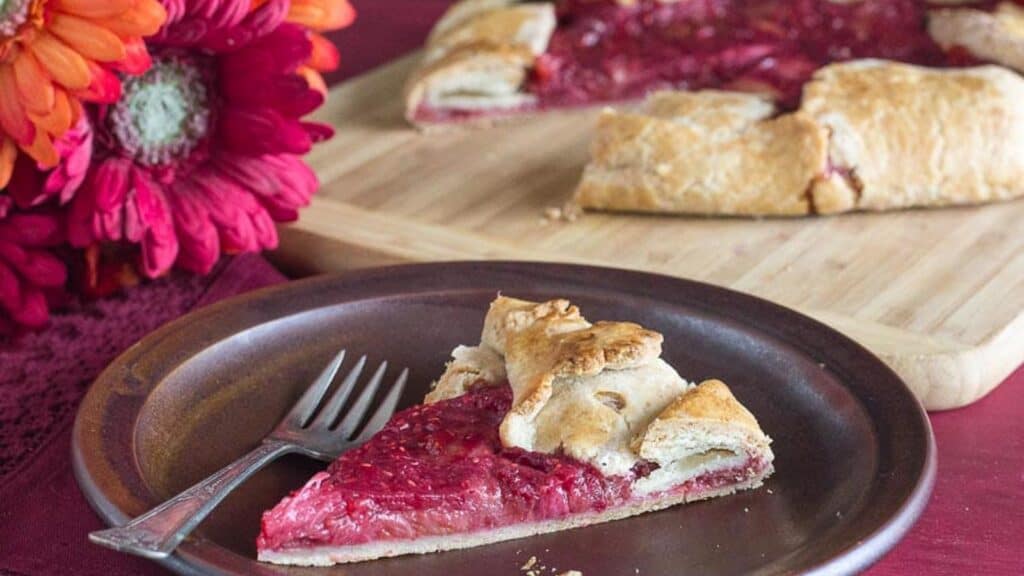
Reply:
x=602 y=394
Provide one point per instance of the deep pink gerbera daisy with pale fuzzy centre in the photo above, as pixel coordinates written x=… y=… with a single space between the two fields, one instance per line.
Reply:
x=202 y=154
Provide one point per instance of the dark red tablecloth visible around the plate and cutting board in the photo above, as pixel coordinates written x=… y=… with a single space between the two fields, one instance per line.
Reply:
x=973 y=526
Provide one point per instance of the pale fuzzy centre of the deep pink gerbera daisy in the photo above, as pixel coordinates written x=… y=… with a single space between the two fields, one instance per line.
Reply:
x=164 y=114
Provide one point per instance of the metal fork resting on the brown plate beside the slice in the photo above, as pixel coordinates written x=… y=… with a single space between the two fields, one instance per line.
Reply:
x=159 y=531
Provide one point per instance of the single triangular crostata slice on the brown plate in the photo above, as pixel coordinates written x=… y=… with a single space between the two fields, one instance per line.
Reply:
x=550 y=424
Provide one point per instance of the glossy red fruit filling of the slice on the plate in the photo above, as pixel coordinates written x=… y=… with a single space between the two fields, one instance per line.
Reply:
x=441 y=469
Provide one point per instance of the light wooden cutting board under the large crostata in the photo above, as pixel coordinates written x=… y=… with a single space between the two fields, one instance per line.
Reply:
x=937 y=295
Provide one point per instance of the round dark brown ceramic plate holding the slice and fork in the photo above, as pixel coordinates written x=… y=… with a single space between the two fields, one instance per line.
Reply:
x=855 y=451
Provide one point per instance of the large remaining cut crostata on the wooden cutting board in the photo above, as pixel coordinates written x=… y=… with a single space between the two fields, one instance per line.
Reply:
x=754 y=108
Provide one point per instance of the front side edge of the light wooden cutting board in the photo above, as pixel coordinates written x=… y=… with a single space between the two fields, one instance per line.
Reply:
x=944 y=374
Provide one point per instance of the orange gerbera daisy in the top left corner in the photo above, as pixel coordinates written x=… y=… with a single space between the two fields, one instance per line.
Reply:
x=55 y=54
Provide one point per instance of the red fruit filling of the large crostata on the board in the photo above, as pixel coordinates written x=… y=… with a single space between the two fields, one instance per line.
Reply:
x=604 y=52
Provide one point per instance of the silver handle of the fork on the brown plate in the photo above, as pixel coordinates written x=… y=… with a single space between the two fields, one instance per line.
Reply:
x=159 y=531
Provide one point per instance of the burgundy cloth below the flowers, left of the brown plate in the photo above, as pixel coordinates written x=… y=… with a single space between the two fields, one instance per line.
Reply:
x=45 y=519
